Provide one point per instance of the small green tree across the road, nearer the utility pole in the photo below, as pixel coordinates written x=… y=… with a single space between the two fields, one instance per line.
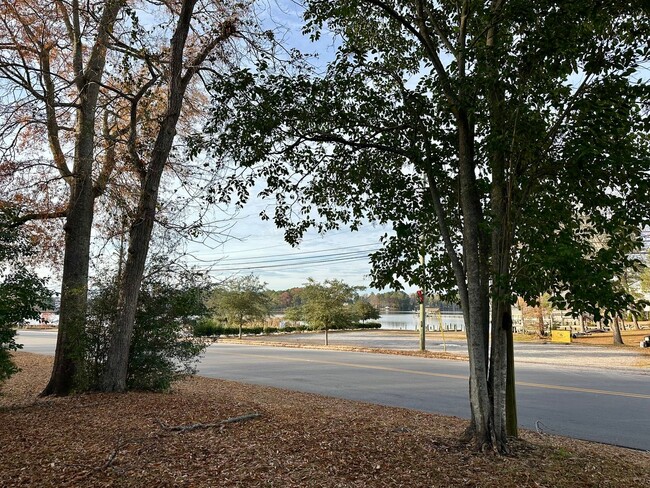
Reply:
x=328 y=304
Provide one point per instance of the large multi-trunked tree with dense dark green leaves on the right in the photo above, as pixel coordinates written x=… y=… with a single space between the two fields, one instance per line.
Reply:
x=501 y=138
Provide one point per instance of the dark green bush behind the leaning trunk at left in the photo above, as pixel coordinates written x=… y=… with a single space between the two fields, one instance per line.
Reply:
x=162 y=349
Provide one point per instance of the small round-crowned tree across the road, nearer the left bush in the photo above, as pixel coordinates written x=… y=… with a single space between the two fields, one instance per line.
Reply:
x=241 y=300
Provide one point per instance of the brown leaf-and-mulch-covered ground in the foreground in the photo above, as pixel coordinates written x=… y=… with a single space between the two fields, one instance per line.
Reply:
x=294 y=440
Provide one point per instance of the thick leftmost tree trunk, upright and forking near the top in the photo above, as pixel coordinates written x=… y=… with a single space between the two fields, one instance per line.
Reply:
x=69 y=352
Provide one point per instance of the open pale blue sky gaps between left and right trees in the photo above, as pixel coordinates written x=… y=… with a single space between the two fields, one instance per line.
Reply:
x=257 y=246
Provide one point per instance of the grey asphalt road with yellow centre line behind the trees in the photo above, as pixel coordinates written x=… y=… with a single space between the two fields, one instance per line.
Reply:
x=598 y=405
